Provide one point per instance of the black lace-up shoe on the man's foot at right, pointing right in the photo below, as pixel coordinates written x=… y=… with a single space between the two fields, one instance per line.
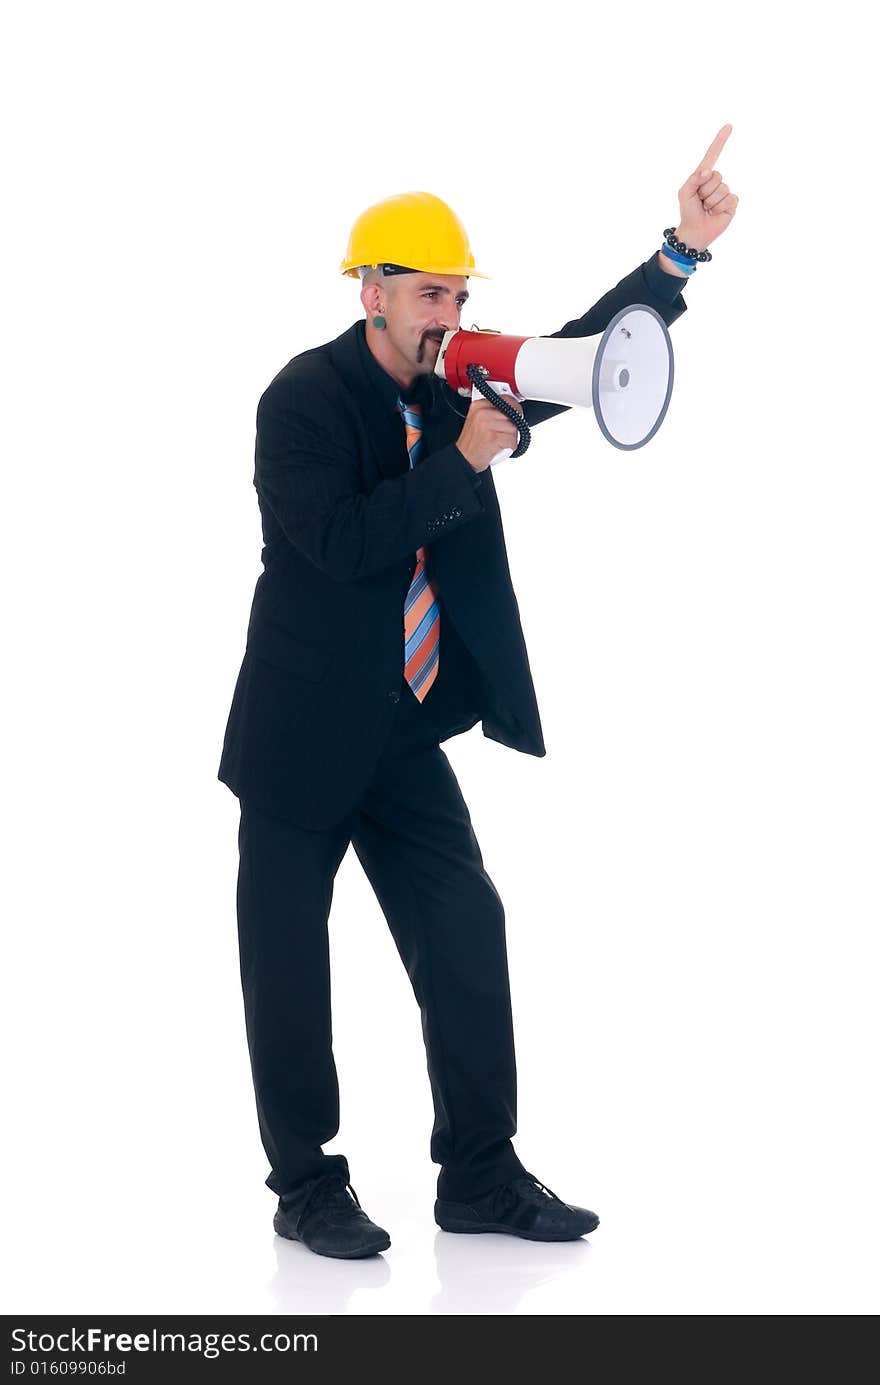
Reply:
x=523 y=1208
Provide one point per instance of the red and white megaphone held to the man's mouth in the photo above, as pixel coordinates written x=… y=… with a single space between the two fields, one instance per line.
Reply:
x=626 y=375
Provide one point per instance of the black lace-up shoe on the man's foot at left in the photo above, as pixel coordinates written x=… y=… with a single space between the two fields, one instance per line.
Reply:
x=329 y=1221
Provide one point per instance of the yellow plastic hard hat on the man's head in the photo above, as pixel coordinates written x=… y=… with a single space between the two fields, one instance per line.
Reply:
x=412 y=231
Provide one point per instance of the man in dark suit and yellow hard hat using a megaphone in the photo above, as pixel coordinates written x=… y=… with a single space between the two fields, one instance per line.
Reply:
x=385 y=624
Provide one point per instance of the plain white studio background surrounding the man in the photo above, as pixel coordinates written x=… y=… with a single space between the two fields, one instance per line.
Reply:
x=689 y=876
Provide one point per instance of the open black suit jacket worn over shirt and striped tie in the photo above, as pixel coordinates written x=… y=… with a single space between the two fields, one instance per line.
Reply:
x=343 y=516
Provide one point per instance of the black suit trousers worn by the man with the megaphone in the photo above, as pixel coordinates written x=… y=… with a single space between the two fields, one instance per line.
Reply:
x=414 y=837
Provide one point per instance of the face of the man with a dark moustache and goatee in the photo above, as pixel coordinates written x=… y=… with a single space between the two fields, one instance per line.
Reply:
x=419 y=311
